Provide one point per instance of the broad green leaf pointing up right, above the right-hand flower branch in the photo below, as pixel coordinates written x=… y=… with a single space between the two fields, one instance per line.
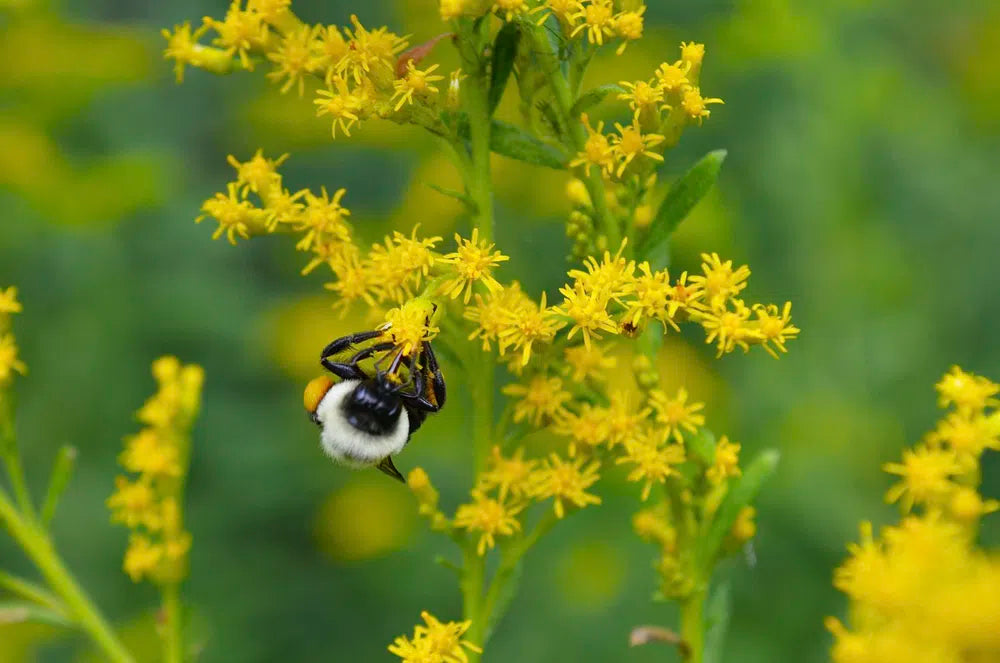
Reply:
x=681 y=199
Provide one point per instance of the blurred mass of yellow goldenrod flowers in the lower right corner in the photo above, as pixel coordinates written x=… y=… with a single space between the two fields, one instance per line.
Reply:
x=923 y=590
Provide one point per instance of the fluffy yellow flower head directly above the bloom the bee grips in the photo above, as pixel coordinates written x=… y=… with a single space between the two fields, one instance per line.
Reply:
x=399 y=265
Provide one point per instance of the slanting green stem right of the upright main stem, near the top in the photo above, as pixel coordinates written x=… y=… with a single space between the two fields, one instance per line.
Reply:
x=577 y=133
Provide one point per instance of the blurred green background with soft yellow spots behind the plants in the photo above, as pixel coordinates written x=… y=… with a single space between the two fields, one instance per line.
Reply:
x=860 y=184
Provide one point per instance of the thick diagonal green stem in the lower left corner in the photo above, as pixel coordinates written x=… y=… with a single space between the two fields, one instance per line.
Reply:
x=38 y=547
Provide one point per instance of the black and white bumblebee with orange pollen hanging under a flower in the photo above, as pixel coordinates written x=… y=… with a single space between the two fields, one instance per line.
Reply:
x=366 y=418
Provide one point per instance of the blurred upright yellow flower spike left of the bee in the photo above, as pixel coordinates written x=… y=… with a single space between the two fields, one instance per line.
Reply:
x=148 y=502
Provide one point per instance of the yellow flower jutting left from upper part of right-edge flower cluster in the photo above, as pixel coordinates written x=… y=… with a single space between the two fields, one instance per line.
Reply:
x=925 y=476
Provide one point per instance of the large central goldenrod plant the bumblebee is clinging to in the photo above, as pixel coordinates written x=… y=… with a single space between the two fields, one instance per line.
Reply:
x=618 y=303
